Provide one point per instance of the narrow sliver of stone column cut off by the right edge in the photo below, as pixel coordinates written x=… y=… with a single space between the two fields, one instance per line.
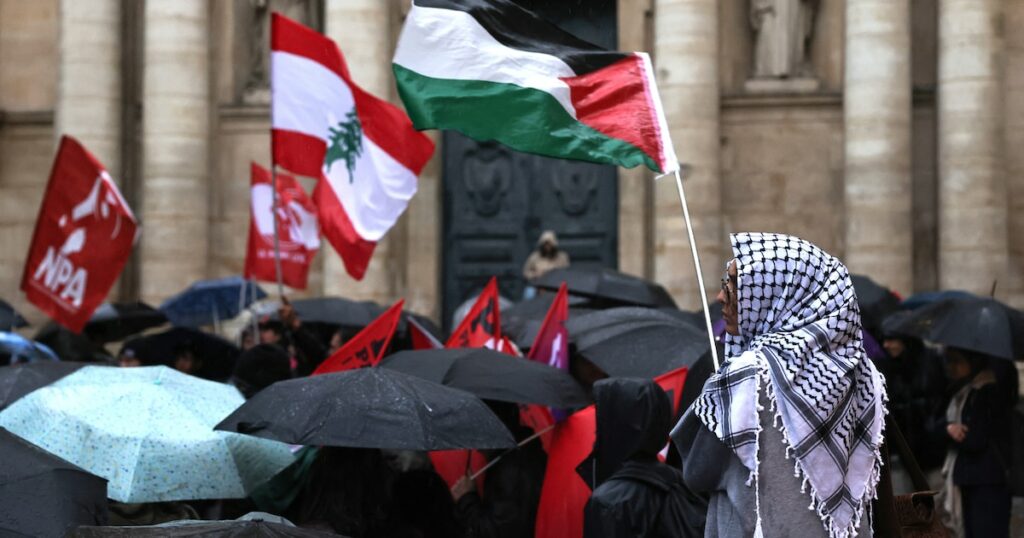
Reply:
x=1014 y=93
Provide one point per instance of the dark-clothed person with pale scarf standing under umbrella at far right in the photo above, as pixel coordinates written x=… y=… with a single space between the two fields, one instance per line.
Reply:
x=976 y=494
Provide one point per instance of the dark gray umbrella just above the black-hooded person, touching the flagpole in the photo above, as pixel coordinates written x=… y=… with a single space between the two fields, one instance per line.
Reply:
x=637 y=343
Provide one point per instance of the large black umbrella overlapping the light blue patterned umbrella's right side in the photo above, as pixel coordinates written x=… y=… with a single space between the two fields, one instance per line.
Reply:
x=370 y=408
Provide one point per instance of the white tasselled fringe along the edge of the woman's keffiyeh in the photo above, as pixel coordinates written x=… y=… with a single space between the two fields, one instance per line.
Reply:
x=818 y=504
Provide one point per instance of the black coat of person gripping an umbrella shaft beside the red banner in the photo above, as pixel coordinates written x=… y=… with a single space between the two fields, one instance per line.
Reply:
x=511 y=494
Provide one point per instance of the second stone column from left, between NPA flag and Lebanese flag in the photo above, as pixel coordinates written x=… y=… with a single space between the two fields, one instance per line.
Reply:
x=175 y=209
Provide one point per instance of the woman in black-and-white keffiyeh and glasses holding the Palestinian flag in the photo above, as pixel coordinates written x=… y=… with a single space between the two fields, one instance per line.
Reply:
x=785 y=437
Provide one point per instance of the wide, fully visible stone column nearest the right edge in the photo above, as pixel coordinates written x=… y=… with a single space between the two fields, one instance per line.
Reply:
x=973 y=240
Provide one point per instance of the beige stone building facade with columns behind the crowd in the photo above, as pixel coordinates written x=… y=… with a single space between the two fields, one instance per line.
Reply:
x=890 y=133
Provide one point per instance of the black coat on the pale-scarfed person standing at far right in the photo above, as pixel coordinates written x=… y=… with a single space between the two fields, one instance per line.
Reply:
x=984 y=458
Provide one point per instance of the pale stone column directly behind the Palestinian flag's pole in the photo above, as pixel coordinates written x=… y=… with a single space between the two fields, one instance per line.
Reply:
x=687 y=62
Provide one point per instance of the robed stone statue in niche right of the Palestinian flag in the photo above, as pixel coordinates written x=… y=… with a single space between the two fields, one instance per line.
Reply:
x=783 y=31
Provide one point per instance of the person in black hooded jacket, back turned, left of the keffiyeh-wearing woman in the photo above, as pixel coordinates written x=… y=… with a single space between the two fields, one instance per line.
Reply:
x=635 y=495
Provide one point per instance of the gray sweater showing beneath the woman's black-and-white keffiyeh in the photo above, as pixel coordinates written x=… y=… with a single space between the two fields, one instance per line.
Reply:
x=710 y=468
